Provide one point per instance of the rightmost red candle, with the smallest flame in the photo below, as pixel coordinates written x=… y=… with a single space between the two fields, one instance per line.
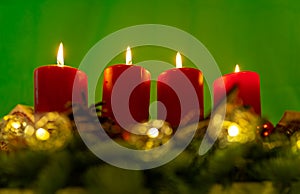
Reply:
x=247 y=83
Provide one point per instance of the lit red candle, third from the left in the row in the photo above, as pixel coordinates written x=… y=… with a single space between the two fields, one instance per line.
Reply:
x=180 y=90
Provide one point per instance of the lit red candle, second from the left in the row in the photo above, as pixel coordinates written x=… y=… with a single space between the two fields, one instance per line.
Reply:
x=126 y=93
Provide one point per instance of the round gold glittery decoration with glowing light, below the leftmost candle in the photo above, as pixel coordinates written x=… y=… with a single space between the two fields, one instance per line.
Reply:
x=51 y=132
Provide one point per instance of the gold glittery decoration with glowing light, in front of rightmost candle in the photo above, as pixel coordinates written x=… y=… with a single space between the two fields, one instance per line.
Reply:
x=239 y=124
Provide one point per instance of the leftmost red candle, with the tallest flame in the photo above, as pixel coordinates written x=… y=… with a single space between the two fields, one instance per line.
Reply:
x=53 y=86
